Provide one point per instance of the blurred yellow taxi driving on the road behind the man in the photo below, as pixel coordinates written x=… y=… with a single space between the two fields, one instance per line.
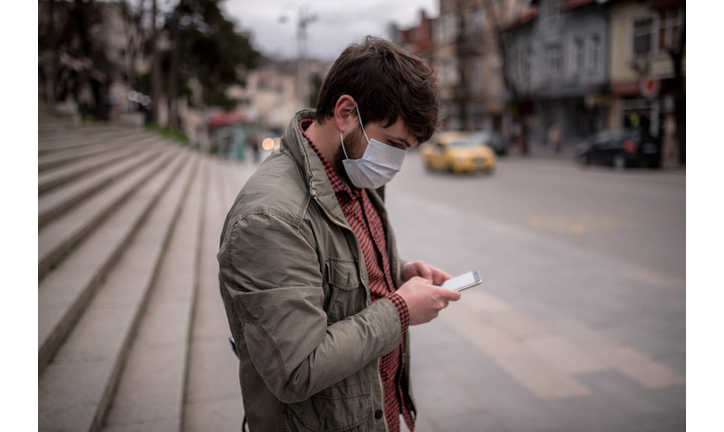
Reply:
x=458 y=152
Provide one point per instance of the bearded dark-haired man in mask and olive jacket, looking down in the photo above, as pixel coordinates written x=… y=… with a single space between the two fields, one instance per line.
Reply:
x=316 y=296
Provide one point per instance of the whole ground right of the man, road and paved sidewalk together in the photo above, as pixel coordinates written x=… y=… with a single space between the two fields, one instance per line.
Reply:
x=580 y=322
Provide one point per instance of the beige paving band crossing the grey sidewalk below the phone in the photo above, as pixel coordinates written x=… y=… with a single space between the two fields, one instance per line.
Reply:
x=545 y=359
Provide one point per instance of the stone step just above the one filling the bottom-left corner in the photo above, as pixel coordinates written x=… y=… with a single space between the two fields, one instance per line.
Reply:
x=63 y=294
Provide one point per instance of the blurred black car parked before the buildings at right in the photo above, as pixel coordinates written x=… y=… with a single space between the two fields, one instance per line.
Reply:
x=620 y=149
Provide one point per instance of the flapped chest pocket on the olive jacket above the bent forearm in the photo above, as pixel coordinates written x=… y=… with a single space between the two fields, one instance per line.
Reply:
x=346 y=293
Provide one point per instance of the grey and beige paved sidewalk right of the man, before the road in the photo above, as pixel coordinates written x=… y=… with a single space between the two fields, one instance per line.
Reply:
x=570 y=341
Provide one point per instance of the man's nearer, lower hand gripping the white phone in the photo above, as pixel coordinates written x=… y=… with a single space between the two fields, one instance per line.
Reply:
x=425 y=300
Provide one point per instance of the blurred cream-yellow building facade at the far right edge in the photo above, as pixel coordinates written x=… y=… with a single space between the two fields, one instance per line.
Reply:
x=643 y=76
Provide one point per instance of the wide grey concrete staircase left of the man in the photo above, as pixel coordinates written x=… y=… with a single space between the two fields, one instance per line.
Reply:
x=132 y=333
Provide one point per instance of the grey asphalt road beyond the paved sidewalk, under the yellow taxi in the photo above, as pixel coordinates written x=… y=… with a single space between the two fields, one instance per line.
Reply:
x=638 y=216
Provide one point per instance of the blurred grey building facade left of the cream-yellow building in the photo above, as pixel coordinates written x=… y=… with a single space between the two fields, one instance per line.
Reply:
x=557 y=60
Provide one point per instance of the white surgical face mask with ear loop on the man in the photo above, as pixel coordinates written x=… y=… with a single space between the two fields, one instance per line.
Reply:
x=377 y=166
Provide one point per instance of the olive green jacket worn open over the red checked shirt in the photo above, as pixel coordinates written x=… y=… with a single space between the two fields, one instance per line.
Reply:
x=297 y=299
